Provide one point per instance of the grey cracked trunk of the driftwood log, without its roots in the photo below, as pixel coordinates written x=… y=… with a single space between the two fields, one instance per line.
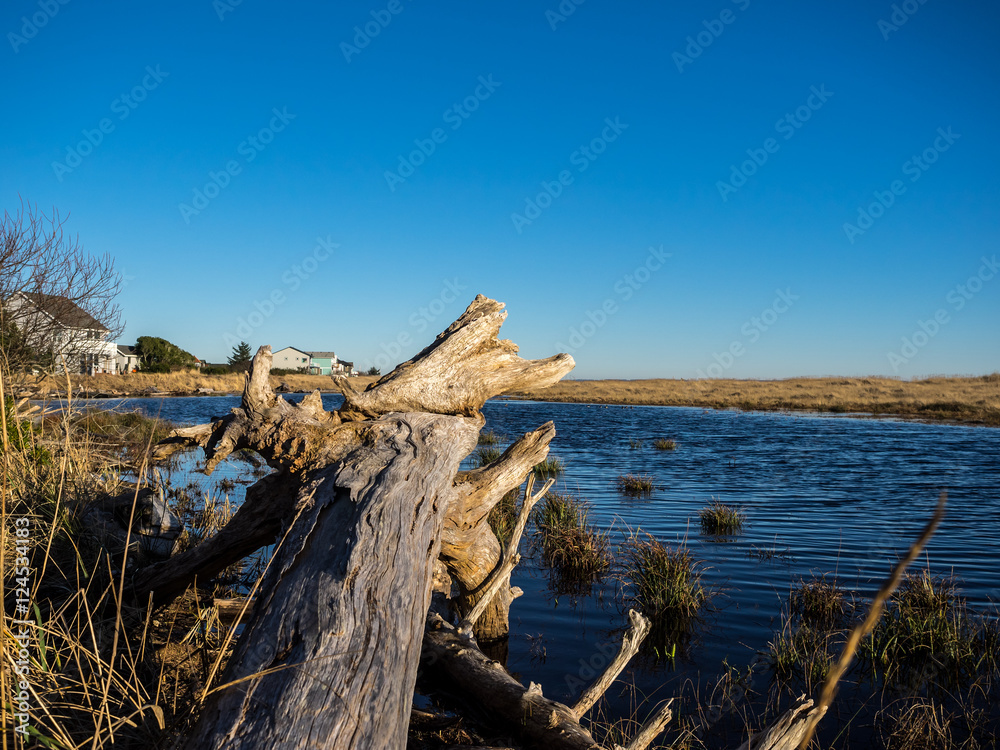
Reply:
x=329 y=658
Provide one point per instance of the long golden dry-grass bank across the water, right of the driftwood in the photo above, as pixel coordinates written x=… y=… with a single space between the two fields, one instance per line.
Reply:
x=970 y=399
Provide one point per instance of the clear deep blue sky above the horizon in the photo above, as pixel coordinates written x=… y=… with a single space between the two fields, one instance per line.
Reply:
x=724 y=188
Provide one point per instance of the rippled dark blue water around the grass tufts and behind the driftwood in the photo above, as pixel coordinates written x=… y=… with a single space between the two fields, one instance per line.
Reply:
x=830 y=493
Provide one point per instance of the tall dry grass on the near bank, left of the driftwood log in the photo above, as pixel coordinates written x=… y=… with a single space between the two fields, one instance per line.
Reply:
x=103 y=670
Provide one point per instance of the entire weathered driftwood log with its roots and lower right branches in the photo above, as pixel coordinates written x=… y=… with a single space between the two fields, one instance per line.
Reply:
x=370 y=514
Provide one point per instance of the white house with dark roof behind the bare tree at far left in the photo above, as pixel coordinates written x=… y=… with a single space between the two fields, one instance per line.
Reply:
x=55 y=323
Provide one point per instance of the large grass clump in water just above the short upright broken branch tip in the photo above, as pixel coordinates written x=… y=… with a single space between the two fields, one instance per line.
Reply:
x=664 y=582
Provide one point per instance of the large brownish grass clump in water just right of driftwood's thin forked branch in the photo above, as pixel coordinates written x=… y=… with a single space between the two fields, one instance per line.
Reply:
x=568 y=541
